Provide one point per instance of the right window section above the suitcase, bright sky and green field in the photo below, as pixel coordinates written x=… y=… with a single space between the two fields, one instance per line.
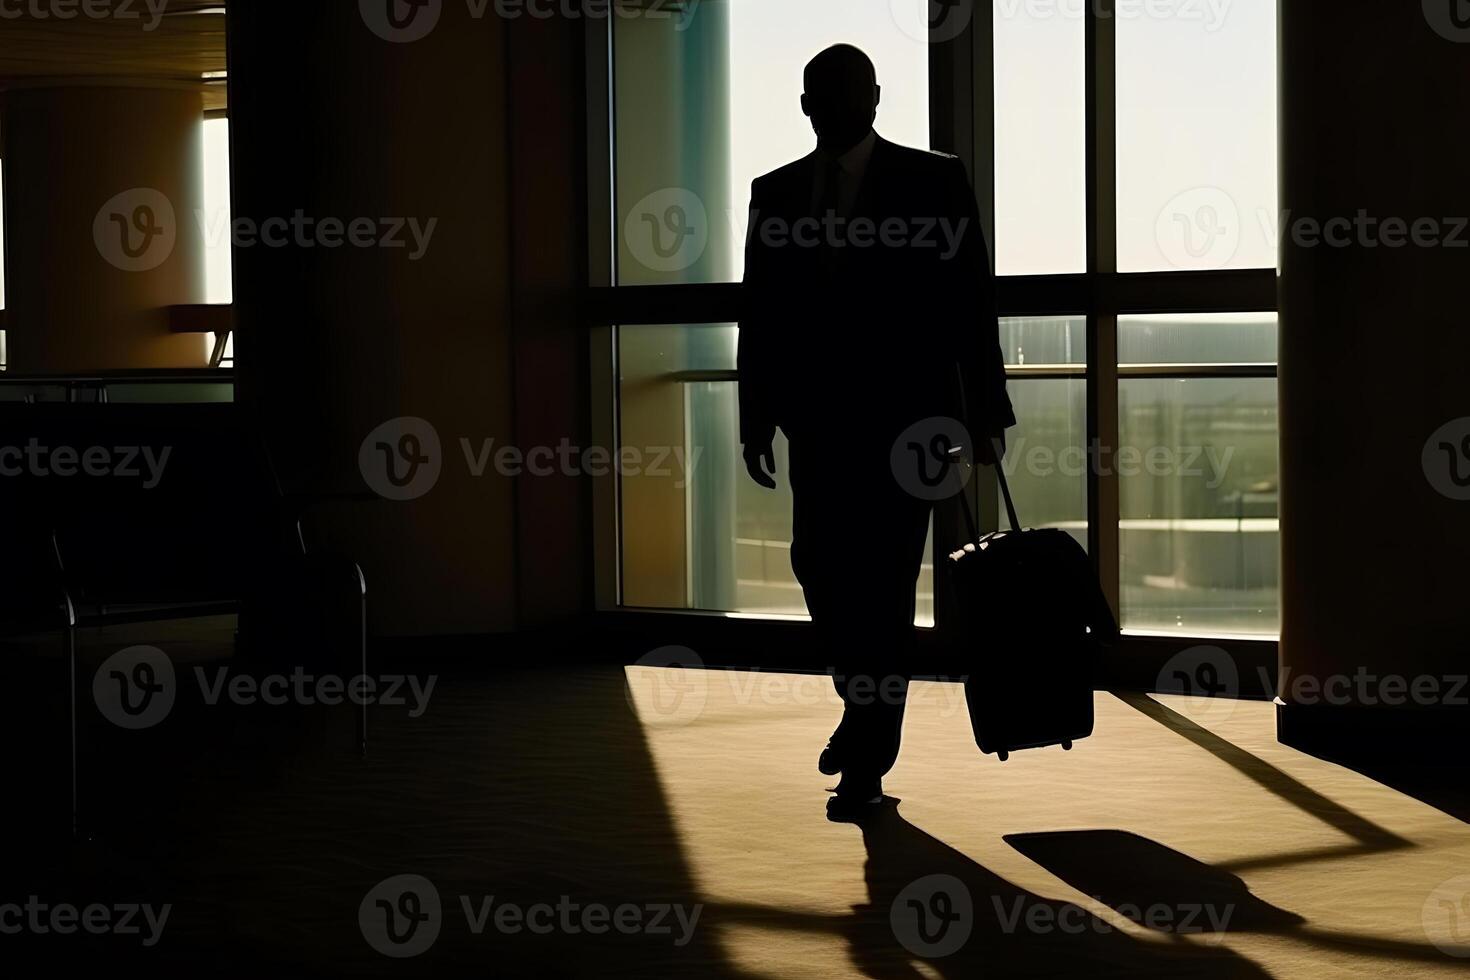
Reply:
x=1165 y=115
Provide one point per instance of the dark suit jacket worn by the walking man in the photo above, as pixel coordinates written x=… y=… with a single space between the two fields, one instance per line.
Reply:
x=855 y=328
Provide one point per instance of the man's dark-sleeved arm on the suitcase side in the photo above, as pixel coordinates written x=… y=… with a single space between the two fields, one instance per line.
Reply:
x=983 y=365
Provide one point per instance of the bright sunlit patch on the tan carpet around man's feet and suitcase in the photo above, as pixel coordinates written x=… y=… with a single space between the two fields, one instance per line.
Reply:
x=736 y=754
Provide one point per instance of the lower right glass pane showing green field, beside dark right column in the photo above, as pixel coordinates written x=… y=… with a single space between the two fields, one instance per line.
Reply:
x=1199 y=486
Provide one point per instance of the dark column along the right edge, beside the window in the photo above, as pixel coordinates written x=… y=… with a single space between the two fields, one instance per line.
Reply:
x=1375 y=349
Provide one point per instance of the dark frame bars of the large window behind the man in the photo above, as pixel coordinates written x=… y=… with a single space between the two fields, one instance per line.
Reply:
x=962 y=123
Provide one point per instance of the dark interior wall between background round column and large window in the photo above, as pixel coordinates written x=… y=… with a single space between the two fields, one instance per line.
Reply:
x=331 y=120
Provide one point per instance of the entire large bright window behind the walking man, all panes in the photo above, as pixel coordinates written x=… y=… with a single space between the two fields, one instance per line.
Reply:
x=1133 y=223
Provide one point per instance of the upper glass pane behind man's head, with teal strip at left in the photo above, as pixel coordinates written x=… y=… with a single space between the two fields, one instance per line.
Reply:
x=709 y=99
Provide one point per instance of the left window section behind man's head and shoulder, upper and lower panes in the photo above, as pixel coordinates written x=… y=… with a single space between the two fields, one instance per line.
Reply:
x=706 y=104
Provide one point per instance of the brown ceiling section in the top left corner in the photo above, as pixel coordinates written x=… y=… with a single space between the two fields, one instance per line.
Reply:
x=132 y=42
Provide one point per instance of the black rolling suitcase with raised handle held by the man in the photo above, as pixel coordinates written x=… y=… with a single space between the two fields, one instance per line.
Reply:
x=1036 y=600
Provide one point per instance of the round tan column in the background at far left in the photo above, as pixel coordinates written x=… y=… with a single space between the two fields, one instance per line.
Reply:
x=104 y=186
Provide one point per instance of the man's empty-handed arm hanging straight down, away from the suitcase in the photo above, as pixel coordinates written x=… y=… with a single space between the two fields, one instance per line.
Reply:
x=755 y=359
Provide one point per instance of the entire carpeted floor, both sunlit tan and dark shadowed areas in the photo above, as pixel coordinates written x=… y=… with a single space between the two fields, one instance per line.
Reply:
x=649 y=824
